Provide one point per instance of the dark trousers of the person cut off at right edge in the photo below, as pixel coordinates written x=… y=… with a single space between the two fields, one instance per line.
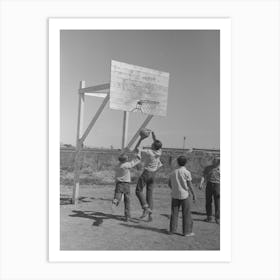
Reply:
x=213 y=191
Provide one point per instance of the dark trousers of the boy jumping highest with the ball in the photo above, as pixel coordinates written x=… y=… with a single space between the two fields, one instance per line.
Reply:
x=146 y=179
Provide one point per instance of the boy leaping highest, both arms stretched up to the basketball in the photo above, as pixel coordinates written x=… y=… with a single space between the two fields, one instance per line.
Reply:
x=147 y=178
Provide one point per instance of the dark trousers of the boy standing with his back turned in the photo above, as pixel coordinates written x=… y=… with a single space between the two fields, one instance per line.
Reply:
x=186 y=213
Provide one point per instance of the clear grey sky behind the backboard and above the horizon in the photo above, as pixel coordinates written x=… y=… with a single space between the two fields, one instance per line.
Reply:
x=192 y=57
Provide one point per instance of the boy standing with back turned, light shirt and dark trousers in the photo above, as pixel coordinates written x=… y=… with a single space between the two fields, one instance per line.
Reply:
x=181 y=187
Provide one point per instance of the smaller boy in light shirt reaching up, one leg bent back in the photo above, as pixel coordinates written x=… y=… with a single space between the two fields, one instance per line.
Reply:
x=123 y=180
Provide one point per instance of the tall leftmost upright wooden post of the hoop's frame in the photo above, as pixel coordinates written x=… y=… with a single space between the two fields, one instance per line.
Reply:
x=79 y=145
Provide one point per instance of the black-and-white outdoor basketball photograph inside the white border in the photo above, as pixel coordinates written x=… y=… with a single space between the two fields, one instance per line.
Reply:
x=140 y=140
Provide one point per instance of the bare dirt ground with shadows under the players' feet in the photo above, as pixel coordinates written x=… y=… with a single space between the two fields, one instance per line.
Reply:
x=93 y=226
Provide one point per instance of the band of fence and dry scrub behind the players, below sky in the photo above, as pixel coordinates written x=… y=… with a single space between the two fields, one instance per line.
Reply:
x=97 y=165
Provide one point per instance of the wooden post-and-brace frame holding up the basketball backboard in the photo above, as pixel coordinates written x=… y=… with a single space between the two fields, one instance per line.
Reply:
x=103 y=91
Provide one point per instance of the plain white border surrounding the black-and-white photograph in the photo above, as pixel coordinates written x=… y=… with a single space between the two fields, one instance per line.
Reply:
x=57 y=24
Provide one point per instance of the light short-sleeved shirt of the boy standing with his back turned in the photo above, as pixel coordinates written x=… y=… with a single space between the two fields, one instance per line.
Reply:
x=178 y=182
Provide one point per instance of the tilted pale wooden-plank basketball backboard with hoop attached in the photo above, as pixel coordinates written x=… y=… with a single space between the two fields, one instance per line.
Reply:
x=138 y=89
